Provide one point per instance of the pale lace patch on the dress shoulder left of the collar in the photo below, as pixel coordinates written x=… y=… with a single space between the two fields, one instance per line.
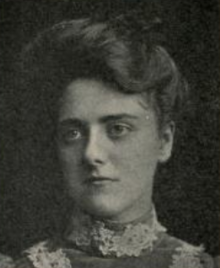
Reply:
x=42 y=258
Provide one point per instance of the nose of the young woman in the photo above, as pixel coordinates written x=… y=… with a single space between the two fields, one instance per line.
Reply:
x=95 y=150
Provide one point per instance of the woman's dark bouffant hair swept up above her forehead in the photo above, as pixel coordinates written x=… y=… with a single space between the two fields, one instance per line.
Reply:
x=128 y=52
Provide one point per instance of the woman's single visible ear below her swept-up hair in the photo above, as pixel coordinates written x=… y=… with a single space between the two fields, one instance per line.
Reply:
x=167 y=136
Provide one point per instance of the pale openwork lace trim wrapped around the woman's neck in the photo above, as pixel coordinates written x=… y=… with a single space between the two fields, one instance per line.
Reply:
x=131 y=241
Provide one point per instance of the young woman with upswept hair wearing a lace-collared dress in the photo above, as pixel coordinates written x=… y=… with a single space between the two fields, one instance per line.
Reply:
x=101 y=100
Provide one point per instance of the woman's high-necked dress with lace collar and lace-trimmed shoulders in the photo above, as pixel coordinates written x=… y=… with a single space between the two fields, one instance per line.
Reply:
x=96 y=244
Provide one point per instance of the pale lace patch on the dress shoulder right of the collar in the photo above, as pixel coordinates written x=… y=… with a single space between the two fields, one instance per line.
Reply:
x=187 y=256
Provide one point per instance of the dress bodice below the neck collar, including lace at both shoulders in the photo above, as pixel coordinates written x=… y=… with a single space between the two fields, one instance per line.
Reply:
x=168 y=252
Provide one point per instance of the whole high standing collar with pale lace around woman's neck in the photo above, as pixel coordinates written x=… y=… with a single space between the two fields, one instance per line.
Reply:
x=110 y=239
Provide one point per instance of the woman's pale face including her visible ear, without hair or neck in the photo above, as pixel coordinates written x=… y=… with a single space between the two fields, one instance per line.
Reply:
x=109 y=147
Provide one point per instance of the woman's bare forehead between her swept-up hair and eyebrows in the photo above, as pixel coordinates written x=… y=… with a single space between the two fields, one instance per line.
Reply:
x=89 y=99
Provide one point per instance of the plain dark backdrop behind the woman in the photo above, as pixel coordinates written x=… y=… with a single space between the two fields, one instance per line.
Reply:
x=187 y=189
